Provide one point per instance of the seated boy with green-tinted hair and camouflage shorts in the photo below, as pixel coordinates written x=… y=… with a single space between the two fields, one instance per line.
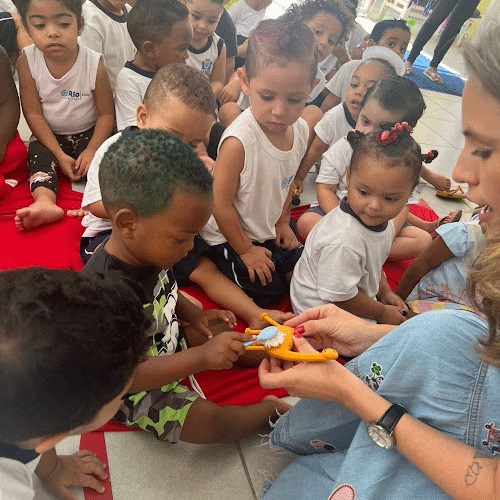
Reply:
x=154 y=224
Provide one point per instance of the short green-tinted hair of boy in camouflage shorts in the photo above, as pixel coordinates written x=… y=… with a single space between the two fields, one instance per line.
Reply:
x=143 y=170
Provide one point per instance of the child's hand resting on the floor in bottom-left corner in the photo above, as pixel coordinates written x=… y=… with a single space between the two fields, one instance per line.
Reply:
x=78 y=469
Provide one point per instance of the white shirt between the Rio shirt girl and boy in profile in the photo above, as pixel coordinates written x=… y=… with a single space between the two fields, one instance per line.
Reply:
x=107 y=34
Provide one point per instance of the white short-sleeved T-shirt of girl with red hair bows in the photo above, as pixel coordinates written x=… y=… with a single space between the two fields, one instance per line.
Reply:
x=341 y=257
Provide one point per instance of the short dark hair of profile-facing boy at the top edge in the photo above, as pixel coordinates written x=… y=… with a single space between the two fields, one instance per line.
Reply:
x=152 y=20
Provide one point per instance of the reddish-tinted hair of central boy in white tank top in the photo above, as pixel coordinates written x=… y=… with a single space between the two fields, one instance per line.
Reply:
x=281 y=41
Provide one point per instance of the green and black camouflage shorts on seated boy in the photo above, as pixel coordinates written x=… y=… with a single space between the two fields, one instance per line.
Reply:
x=160 y=411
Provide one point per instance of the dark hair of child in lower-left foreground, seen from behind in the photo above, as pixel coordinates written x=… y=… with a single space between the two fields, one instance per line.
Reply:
x=69 y=343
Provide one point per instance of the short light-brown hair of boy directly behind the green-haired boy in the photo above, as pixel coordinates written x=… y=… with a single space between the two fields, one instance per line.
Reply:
x=184 y=82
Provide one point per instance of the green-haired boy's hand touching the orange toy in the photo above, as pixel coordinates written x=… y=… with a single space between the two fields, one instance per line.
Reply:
x=221 y=352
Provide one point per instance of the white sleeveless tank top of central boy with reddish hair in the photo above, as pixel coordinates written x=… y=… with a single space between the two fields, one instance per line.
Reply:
x=264 y=181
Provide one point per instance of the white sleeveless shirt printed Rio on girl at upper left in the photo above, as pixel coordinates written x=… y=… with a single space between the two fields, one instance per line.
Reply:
x=67 y=103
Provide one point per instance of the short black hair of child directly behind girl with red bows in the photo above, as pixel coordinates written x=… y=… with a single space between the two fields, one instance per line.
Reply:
x=396 y=93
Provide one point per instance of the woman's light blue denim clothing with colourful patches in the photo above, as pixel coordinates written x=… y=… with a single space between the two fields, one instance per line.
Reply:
x=427 y=364
